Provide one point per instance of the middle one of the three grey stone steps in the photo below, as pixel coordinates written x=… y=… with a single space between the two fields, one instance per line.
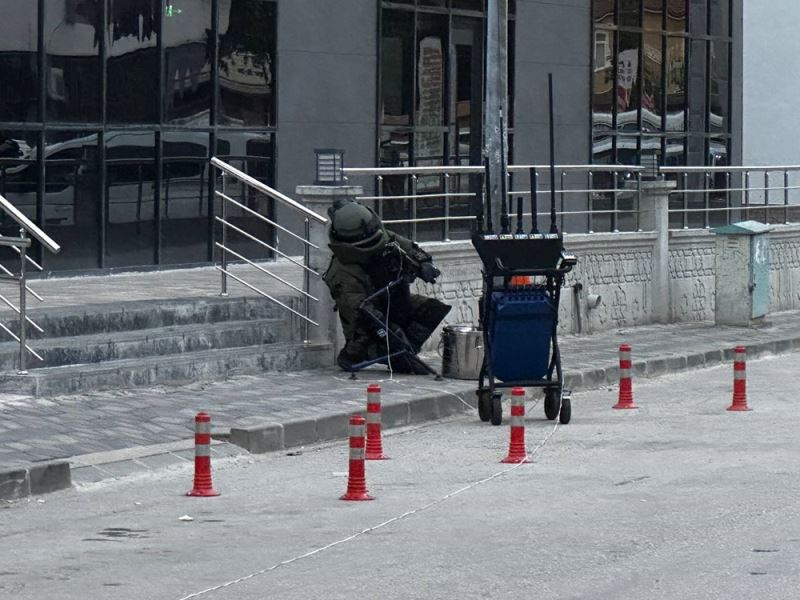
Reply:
x=161 y=341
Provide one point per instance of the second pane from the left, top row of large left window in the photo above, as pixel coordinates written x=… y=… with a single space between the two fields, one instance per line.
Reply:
x=72 y=34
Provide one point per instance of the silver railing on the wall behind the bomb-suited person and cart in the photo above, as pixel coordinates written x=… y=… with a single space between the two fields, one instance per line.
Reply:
x=440 y=203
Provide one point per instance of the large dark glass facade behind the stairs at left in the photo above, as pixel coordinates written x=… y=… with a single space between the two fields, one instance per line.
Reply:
x=110 y=110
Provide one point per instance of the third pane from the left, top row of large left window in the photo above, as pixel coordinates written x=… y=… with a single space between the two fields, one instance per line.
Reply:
x=133 y=94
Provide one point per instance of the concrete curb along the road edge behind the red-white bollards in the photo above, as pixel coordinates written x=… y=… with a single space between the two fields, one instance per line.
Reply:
x=258 y=437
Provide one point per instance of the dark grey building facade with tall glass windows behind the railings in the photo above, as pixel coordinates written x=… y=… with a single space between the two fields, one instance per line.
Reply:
x=111 y=109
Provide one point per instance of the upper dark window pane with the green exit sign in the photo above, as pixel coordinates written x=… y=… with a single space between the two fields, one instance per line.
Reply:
x=187 y=68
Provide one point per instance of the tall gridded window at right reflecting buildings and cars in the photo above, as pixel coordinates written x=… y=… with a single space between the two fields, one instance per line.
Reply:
x=660 y=83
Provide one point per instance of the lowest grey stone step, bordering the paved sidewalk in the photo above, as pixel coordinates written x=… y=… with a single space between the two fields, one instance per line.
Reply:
x=205 y=365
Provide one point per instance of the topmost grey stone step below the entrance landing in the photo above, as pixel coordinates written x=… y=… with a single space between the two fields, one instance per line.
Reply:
x=89 y=319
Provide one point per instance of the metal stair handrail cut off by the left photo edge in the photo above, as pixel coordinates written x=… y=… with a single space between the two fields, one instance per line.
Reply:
x=20 y=245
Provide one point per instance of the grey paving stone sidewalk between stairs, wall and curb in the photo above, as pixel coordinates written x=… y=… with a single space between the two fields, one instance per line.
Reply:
x=36 y=430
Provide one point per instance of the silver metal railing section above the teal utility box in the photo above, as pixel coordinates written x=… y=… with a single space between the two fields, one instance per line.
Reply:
x=709 y=196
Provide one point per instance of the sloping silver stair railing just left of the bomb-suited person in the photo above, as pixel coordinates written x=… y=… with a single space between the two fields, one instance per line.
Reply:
x=227 y=227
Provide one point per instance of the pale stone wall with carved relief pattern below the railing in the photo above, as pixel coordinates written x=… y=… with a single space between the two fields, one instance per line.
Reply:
x=618 y=267
